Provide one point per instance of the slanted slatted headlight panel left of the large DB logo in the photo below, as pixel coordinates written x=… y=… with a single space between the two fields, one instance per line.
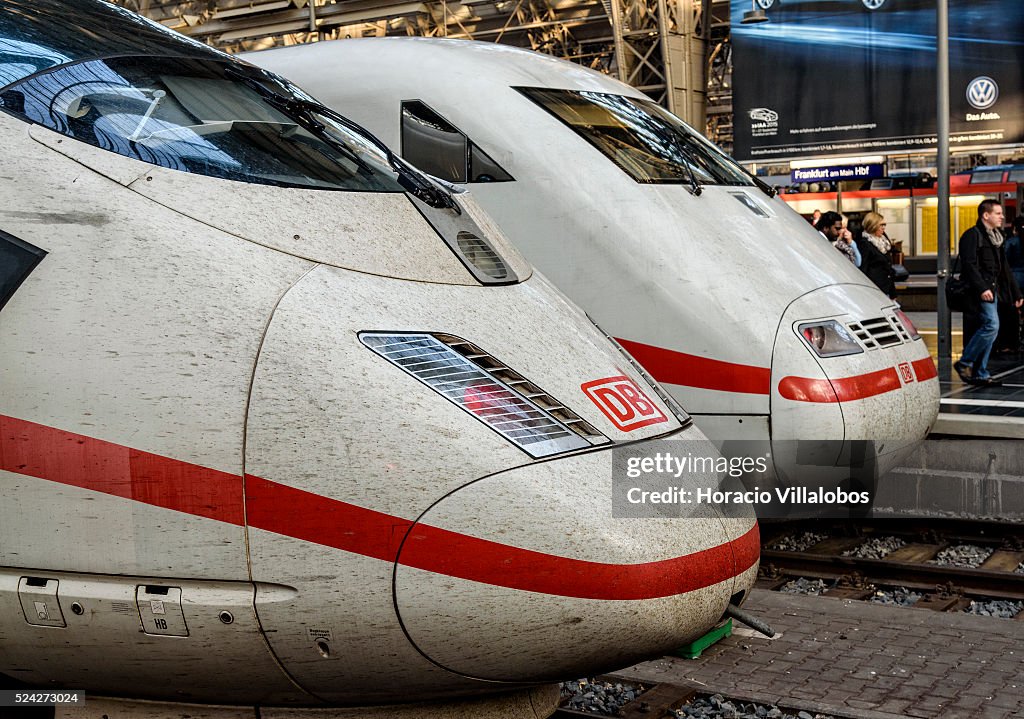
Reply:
x=499 y=397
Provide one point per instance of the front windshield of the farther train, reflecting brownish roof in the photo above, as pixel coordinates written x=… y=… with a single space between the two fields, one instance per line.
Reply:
x=649 y=143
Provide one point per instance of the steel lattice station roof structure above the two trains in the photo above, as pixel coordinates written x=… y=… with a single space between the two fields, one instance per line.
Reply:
x=677 y=52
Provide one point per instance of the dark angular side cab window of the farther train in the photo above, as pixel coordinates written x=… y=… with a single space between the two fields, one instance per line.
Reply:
x=439 y=148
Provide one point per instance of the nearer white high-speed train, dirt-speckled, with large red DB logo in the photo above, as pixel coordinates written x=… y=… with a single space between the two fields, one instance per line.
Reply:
x=284 y=422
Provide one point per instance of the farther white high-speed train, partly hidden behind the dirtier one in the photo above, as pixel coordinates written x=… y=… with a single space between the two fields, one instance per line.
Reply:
x=724 y=294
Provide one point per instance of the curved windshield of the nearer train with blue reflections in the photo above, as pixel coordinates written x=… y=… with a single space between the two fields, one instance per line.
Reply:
x=208 y=117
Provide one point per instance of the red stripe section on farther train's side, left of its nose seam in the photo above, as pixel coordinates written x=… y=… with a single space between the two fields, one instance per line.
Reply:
x=693 y=371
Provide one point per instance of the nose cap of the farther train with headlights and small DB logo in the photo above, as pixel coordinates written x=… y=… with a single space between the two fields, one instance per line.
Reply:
x=846 y=368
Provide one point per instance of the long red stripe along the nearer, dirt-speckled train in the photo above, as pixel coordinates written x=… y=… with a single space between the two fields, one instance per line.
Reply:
x=56 y=455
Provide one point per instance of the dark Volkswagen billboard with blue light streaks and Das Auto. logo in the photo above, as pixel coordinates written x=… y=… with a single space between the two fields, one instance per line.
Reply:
x=859 y=77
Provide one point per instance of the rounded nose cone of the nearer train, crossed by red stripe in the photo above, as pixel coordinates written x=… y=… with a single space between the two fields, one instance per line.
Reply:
x=538 y=582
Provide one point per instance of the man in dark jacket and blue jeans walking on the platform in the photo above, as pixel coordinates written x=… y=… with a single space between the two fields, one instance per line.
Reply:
x=984 y=264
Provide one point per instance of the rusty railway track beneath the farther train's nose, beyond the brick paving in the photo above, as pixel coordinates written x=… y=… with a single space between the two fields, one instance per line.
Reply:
x=948 y=587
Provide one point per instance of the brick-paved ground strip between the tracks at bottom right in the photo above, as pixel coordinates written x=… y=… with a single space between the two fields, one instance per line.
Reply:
x=860 y=660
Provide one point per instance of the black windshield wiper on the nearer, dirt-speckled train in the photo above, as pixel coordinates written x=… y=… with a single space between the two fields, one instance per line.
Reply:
x=305 y=110
